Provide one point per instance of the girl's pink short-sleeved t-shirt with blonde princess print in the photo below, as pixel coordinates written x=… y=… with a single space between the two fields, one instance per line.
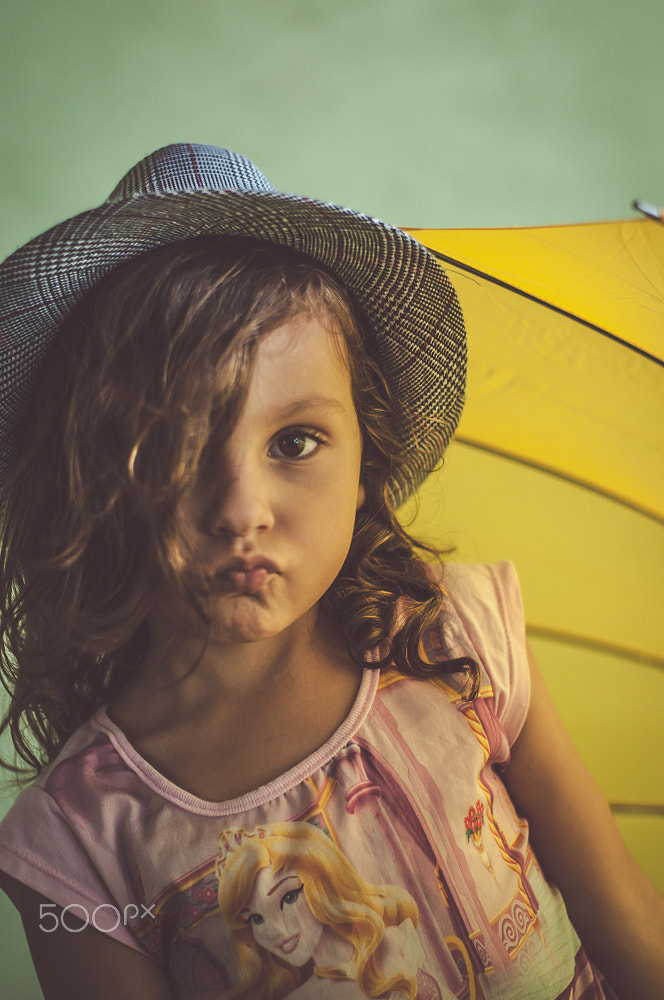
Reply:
x=389 y=863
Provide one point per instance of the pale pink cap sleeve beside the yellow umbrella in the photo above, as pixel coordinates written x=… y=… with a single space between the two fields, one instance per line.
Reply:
x=488 y=601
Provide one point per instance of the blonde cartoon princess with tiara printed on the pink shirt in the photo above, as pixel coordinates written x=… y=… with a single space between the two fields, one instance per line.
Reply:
x=306 y=925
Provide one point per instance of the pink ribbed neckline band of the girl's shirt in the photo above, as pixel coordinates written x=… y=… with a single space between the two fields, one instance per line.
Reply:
x=259 y=796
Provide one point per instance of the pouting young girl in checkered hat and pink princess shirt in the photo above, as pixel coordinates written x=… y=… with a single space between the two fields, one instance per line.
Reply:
x=213 y=398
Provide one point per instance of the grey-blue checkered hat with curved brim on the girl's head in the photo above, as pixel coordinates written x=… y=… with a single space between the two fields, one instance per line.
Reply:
x=187 y=190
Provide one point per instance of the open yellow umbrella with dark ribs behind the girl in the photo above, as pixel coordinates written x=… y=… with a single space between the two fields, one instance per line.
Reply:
x=559 y=465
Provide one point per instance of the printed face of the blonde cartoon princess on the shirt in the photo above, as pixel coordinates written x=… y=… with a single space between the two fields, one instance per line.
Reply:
x=280 y=918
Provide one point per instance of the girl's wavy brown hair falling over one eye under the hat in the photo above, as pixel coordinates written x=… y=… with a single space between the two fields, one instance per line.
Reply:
x=146 y=377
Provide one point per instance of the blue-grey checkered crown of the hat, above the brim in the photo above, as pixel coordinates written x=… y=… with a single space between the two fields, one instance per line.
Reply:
x=191 y=167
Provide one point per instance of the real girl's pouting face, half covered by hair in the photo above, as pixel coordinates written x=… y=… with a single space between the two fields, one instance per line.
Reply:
x=272 y=523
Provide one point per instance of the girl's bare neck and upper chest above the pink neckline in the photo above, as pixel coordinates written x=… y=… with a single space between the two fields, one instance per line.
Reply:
x=265 y=706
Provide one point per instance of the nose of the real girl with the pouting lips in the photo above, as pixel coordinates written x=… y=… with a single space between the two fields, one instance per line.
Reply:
x=240 y=505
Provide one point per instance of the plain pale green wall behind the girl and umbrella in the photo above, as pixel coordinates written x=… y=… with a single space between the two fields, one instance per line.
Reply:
x=426 y=113
